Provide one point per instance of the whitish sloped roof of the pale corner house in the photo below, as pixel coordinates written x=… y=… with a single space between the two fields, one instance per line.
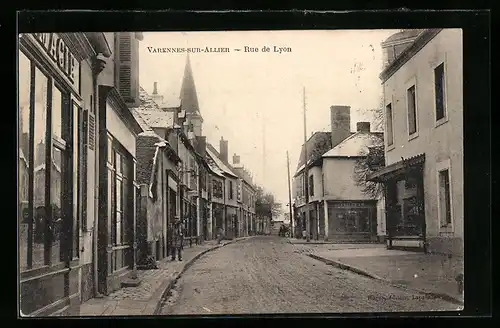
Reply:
x=356 y=144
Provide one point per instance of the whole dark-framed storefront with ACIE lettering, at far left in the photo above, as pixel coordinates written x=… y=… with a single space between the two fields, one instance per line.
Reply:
x=55 y=97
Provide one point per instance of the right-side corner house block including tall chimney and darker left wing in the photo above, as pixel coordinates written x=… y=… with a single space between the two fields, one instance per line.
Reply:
x=338 y=207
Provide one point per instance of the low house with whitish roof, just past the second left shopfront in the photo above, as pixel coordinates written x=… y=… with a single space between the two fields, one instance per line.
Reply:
x=158 y=177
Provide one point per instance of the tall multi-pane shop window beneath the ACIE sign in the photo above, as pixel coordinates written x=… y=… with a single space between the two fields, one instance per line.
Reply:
x=45 y=169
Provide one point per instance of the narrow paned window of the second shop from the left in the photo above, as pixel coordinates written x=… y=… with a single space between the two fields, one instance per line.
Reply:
x=120 y=201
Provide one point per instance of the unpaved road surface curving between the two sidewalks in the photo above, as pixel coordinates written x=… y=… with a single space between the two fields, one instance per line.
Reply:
x=269 y=275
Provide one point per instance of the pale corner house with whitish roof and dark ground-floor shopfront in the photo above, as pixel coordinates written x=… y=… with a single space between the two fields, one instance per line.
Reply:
x=350 y=212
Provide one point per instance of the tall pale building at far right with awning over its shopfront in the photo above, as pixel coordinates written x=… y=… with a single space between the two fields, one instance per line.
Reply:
x=423 y=96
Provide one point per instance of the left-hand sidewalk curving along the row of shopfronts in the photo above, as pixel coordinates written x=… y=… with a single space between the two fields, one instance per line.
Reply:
x=146 y=298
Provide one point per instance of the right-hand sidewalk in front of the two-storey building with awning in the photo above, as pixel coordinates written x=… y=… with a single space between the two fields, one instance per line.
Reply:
x=431 y=274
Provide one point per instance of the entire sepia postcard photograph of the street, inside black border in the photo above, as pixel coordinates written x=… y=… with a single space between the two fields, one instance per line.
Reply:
x=240 y=172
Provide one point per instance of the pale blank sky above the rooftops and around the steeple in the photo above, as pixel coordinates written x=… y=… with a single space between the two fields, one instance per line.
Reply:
x=239 y=93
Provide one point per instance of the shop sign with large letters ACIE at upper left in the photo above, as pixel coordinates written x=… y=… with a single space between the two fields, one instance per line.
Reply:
x=61 y=56
